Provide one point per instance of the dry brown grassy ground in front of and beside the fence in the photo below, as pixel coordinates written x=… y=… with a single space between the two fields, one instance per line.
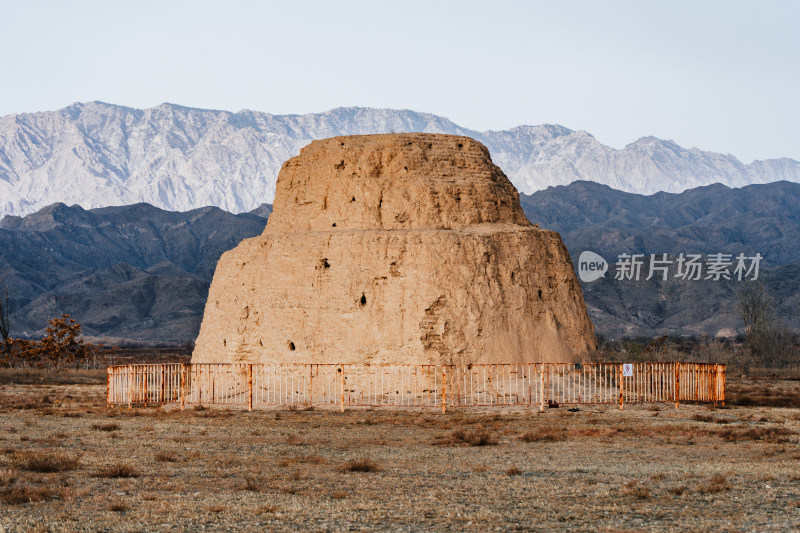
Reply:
x=67 y=463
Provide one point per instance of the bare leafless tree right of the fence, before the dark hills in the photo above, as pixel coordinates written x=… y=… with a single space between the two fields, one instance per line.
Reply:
x=767 y=337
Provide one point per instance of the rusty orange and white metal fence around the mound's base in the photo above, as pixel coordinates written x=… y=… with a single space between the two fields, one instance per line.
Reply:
x=425 y=386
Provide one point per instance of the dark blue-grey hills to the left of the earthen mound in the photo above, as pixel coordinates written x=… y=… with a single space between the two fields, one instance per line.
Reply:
x=134 y=271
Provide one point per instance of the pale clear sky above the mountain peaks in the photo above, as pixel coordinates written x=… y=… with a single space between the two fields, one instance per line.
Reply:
x=718 y=75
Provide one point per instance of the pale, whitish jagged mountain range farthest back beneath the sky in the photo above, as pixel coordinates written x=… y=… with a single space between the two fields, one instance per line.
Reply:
x=178 y=158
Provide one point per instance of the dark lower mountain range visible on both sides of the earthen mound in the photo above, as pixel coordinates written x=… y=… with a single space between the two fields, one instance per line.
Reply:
x=141 y=273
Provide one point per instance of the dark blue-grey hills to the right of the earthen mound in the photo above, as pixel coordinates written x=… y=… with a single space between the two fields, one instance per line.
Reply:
x=761 y=219
